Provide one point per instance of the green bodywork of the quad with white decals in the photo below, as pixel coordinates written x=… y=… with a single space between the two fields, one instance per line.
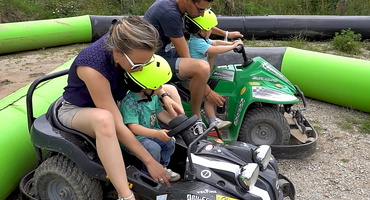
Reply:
x=245 y=86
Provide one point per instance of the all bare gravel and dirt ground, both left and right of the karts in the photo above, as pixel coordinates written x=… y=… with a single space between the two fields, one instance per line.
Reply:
x=338 y=170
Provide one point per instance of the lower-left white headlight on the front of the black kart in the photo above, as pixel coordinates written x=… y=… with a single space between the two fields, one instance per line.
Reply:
x=248 y=176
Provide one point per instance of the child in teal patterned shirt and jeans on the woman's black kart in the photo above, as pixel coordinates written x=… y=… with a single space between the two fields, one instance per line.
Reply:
x=141 y=110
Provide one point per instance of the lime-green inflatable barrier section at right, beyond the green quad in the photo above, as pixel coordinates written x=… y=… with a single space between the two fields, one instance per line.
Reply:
x=334 y=79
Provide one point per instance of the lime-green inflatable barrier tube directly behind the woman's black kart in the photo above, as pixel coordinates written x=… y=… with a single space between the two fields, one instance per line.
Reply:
x=17 y=154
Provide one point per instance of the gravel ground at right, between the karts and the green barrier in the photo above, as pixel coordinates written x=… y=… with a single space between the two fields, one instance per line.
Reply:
x=339 y=169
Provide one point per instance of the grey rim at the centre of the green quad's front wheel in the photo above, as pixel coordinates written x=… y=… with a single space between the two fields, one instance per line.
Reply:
x=263 y=134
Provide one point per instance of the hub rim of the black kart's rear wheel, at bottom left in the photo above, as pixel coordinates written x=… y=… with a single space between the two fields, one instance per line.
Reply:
x=59 y=189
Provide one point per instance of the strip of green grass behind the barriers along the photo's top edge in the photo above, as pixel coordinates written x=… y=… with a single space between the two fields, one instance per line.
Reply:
x=25 y=10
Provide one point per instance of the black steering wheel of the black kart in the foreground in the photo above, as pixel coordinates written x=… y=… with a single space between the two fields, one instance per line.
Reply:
x=181 y=123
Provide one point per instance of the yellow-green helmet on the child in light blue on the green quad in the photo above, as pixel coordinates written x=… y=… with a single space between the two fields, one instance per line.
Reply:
x=205 y=22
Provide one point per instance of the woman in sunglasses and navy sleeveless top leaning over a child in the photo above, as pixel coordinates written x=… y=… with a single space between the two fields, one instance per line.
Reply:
x=95 y=84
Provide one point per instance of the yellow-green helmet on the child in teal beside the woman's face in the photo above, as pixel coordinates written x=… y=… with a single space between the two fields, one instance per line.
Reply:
x=151 y=77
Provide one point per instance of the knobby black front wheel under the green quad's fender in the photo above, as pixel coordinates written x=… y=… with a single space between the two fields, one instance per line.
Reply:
x=264 y=125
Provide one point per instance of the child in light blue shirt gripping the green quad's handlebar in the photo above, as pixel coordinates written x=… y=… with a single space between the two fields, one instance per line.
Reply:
x=201 y=47
